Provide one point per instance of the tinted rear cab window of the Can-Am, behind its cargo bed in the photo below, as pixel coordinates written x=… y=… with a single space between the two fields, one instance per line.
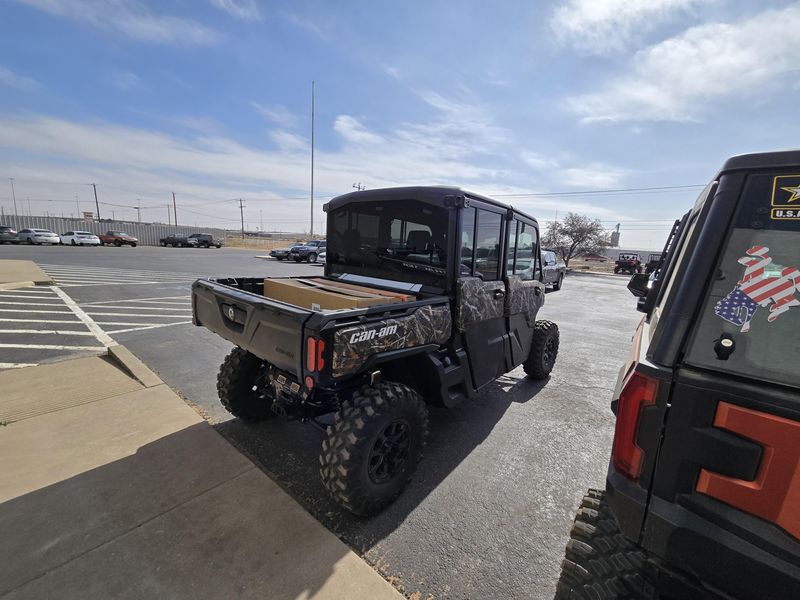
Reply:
x=402 y=240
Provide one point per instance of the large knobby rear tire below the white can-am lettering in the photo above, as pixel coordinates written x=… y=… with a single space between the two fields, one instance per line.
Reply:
x=357 y=432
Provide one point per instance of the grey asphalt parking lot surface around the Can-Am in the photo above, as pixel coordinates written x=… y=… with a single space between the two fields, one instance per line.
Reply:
x=488 y=511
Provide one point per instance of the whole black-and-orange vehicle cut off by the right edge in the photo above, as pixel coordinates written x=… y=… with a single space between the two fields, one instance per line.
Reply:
x=702 y=492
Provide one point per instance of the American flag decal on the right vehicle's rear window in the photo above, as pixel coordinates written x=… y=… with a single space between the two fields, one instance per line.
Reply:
x=756 y=289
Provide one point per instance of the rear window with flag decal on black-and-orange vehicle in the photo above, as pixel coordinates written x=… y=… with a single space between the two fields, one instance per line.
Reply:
x=754 y=301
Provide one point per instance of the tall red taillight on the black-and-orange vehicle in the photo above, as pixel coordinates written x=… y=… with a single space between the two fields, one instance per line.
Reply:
x=637 y=392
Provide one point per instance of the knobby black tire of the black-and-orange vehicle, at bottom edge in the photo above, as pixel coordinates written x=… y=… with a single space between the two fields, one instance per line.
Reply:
x=601 y=563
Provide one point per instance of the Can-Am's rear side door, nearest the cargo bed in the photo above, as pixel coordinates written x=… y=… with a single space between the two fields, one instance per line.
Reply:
x=481 y=291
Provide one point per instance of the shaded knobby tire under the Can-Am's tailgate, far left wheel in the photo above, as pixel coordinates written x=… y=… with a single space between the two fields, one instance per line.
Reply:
x=236 y=385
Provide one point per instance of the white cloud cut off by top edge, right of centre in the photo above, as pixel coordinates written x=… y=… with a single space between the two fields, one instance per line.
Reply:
x=600 y=26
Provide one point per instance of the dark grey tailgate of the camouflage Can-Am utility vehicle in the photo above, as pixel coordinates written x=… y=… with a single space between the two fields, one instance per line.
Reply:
x=269 y=329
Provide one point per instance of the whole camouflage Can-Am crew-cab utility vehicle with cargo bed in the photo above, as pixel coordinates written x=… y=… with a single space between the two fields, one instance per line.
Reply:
x=463 y=313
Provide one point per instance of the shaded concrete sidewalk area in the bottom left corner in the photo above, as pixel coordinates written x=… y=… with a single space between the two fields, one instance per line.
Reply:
x=183 y=517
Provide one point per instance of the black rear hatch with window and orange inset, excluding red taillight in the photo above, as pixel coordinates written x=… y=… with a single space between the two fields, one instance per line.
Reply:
x=725 y=498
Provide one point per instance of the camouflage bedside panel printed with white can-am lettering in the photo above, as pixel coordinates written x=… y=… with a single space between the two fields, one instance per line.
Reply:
x=352 y=346
